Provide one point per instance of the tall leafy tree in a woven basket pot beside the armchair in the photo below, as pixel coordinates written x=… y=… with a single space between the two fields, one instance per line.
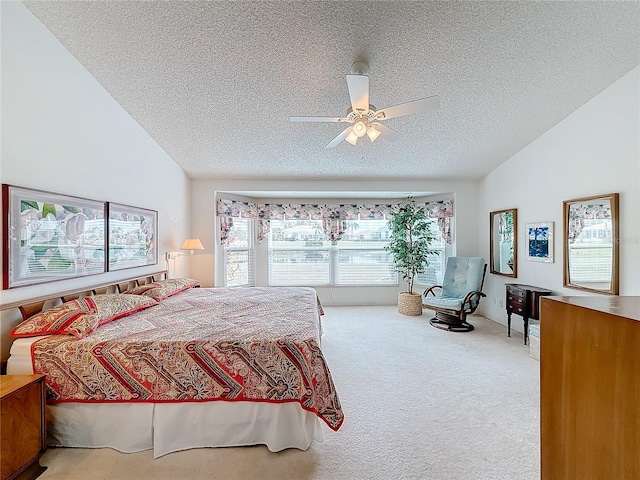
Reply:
x=411 y=237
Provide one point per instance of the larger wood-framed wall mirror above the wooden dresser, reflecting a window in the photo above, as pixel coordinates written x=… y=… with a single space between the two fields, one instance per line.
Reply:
x=591 y=257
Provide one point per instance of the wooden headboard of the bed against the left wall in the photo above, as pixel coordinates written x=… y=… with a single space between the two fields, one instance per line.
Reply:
x=15 y=312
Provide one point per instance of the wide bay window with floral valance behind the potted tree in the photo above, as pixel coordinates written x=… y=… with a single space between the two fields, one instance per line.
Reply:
x=314 y=245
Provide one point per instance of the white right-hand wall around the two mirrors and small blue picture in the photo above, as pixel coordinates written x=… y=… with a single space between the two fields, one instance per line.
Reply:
x=593 y=151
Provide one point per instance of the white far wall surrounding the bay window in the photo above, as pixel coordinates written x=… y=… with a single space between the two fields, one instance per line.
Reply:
x=463 y=193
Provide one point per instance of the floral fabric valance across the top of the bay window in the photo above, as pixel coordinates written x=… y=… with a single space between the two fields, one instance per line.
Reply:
x=332 y=215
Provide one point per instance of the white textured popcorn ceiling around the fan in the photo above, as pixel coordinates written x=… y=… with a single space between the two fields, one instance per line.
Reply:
x=214 y=83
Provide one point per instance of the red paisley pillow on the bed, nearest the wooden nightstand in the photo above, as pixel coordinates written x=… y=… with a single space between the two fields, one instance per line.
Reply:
x=82 y=316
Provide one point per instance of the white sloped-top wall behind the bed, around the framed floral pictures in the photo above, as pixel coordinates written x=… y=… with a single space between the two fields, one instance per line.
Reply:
x=63 y=133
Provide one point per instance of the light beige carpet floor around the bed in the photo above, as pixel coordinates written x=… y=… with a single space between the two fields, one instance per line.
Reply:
x=419 y=403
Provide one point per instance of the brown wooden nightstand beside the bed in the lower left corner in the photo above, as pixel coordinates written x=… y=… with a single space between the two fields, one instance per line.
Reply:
x=22 y=425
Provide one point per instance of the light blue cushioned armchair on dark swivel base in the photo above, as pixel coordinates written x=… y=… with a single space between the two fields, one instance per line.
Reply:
x=460 y=293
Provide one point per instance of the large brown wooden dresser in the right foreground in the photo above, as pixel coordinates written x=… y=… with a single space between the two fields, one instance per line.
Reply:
x=590 y=388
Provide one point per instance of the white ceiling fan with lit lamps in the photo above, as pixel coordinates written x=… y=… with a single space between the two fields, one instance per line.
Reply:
x=364 y=118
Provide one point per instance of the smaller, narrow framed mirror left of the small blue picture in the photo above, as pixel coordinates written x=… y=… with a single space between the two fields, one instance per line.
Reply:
x=503 y=225
